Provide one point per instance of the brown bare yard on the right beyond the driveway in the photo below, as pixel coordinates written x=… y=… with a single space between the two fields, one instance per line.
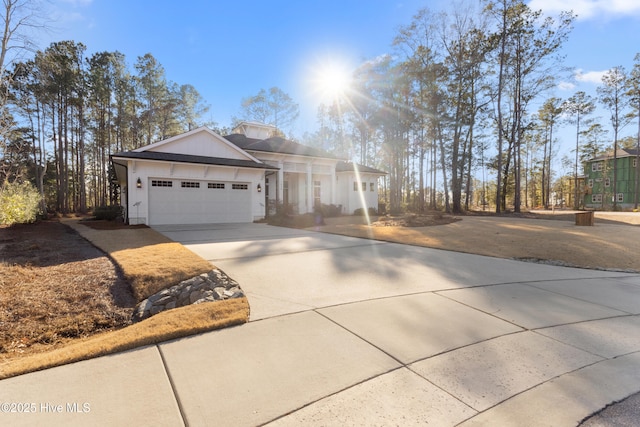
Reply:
x=549 y=237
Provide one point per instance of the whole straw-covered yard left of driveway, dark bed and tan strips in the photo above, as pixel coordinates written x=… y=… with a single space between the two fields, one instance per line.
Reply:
x=63 y=300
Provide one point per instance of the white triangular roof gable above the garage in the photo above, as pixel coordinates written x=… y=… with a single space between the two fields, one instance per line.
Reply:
x=199 y=142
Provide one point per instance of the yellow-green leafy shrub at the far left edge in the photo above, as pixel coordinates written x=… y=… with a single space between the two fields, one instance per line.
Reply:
x=19 y=203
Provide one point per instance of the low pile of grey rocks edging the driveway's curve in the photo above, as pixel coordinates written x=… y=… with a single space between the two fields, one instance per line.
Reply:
x=212 y=286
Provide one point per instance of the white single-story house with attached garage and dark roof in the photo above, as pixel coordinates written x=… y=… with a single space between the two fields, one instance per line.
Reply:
x=202 y=177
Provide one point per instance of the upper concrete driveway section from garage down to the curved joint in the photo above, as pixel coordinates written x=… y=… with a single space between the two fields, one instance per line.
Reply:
x=286 y=270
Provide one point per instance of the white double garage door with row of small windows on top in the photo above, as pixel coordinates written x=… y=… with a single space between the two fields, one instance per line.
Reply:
x=173 y=201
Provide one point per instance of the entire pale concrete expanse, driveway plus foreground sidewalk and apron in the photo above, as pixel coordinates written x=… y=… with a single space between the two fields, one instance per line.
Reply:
x=348 y=331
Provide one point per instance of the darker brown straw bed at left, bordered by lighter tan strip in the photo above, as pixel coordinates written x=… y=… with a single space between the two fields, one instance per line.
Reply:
x=55 y=287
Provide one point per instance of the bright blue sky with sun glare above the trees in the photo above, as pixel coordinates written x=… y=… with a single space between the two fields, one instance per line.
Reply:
x=231 y=49
